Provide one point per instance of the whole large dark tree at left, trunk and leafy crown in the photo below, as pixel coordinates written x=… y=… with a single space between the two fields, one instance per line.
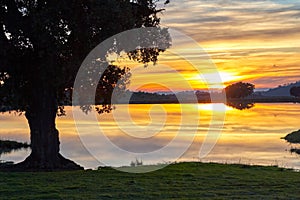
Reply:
x=43 y=44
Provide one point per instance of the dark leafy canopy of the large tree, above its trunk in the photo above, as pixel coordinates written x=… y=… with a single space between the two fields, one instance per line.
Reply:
x=44 y=42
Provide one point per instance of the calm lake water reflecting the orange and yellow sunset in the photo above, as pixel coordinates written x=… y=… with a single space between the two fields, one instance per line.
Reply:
x=248 y=136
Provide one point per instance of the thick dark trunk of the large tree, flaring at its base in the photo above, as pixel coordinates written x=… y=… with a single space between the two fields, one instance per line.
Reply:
x=41 y=116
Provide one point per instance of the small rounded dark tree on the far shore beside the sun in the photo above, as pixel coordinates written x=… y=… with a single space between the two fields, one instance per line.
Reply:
x=239 y=90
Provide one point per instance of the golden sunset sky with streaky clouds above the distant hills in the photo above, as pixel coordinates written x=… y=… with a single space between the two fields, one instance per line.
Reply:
x=255 y=41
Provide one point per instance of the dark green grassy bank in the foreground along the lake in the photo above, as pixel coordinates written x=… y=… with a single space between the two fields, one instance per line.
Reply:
x=176 y=181
